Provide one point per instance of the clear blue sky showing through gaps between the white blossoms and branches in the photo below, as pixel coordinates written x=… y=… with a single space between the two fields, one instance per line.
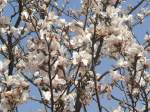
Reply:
x=139 y=31
